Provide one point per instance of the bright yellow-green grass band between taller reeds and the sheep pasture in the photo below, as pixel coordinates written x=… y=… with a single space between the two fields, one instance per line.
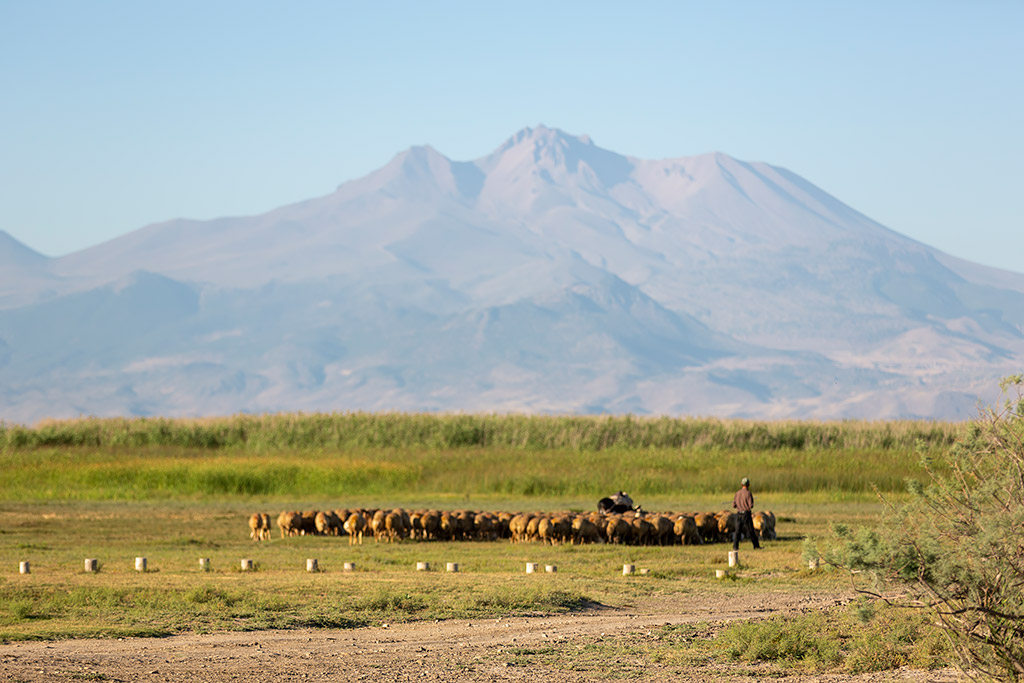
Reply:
x=393 y=475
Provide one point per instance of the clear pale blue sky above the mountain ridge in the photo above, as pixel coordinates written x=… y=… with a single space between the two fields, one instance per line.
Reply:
x=120 y=114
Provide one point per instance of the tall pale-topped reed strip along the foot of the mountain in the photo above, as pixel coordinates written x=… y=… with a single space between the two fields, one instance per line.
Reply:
x=400 y=431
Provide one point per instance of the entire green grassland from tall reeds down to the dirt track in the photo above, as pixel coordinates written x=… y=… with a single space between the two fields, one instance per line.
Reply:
x=178 y=491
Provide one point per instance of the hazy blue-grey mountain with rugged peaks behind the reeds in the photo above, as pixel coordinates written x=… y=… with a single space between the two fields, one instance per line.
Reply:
x=550 y=276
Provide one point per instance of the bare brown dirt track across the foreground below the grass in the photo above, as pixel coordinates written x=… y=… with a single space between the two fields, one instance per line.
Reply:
x=455 y=651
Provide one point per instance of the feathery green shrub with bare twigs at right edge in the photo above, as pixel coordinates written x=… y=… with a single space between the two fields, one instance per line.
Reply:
x=958 y=547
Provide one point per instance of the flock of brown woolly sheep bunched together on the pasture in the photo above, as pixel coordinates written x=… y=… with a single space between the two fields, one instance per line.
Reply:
x=634 y=528
